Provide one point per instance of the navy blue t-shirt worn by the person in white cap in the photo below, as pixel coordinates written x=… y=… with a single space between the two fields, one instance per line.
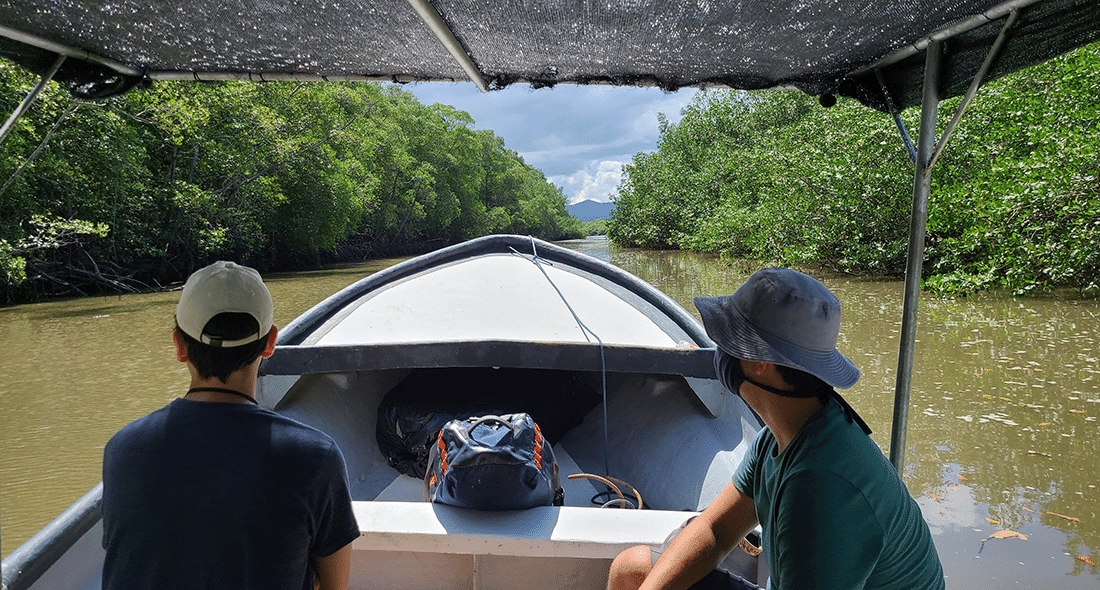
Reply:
x=202 y=495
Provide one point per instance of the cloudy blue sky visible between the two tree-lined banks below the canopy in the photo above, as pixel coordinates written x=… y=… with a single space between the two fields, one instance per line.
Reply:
x=578 y=136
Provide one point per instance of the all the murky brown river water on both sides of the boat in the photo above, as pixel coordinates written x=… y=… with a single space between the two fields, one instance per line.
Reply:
x=1004 y=430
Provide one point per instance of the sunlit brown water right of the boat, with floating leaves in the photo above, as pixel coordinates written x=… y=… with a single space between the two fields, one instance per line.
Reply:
x=1004 y=425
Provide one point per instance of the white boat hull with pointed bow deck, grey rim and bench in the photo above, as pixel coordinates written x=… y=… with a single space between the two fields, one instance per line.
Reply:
x=499 y=316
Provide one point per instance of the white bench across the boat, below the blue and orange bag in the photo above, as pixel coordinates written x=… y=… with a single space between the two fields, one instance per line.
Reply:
x=416 y=545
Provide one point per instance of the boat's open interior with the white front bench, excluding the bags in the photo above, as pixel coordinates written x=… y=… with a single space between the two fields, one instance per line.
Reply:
x=661 y=439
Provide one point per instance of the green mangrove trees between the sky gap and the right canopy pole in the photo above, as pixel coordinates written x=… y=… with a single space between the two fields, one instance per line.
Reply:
x=769 y=176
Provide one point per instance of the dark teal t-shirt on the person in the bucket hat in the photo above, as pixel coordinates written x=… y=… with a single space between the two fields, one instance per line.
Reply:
x=834 y=513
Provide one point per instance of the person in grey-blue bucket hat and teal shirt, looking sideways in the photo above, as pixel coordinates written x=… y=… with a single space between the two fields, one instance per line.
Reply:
x=833 y=511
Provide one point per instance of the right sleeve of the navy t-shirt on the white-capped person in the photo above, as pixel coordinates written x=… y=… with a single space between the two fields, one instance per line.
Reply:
x=336 y=522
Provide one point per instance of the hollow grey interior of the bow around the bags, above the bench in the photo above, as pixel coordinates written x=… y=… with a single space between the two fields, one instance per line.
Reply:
x=661 y=436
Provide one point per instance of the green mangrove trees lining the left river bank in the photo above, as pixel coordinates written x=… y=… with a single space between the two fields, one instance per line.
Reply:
x=136 y=192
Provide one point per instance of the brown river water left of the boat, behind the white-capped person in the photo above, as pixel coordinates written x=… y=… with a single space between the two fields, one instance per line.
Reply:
x=72 y=374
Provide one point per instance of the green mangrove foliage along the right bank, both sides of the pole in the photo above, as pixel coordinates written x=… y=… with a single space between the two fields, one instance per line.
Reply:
x=774 y=177
